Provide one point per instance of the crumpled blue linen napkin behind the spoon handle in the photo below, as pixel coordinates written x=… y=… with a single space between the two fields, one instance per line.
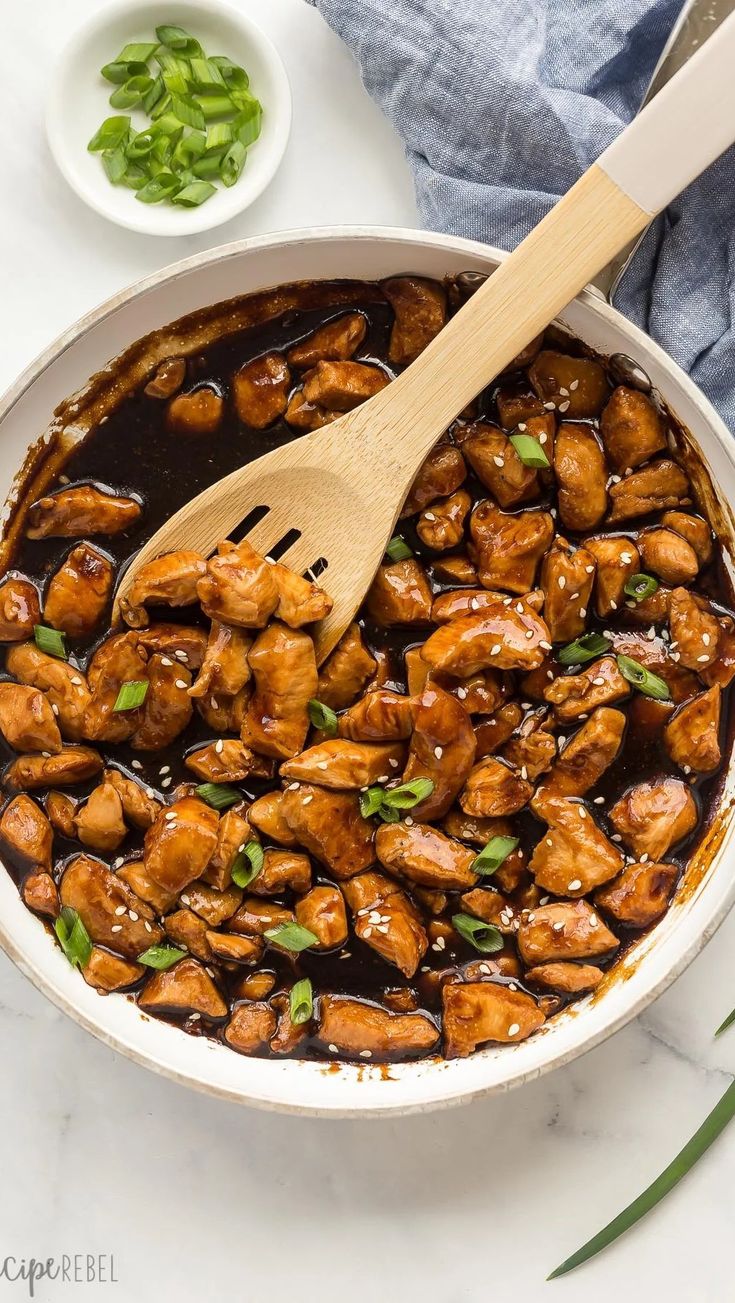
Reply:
x=504 y=104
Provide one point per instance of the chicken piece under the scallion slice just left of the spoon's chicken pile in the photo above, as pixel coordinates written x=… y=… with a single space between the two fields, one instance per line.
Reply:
x=119 y=660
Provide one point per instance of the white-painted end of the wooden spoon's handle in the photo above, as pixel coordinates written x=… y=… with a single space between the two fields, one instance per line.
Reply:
x=689 y=124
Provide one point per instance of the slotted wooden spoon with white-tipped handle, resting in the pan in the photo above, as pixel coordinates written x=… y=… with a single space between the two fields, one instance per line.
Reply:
x=342 y=487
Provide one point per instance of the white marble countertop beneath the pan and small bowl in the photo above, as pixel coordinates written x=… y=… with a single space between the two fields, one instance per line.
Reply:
x=201 y=1199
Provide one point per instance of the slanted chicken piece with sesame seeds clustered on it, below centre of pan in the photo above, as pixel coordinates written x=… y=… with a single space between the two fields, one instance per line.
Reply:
x=388 y=921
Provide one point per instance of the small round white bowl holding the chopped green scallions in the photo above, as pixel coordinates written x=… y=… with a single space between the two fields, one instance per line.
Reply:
x=79 y=102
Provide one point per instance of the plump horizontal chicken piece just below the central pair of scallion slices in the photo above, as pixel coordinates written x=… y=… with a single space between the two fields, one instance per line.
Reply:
x=425 y=857
